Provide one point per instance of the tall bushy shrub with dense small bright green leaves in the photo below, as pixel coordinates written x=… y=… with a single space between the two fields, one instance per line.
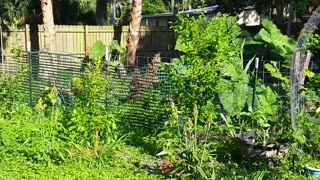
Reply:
x=212 y=54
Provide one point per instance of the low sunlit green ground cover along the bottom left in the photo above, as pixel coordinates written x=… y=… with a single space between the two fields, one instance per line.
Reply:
x=118 y=167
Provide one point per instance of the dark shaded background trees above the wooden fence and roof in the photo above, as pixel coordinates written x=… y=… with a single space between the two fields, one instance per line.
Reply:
x=85 y=12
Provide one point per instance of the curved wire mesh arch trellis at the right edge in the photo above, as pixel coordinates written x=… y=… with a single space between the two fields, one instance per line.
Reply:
x=299 y=63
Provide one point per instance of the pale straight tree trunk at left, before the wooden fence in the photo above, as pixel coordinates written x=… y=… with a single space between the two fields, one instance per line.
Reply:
x=48 y=25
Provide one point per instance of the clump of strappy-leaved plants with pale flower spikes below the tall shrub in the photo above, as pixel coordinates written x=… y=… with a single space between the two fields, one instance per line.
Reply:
x=189 y=144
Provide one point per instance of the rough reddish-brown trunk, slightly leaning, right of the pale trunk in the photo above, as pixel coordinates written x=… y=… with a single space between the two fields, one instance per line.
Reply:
x=133 y=37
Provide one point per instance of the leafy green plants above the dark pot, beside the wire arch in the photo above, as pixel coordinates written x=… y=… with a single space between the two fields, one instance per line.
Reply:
x=269 y=116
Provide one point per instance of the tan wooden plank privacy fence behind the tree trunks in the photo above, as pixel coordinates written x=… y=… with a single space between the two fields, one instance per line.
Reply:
x=79 y=38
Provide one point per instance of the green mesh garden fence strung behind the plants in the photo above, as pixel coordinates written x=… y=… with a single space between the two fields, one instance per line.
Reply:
x=140 y=105
